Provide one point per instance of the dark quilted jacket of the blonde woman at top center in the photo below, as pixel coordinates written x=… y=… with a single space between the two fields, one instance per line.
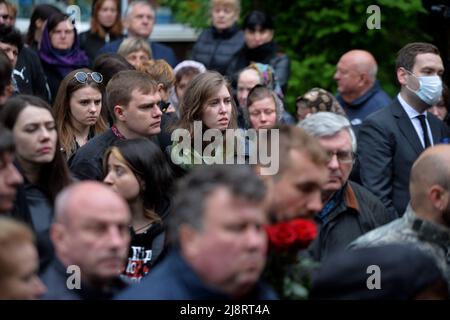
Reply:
x=216 y=49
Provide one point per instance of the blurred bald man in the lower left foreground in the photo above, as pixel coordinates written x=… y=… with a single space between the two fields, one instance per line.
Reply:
x=91 y=239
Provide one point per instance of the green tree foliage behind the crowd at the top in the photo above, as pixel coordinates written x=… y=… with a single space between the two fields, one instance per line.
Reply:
x=316 y=33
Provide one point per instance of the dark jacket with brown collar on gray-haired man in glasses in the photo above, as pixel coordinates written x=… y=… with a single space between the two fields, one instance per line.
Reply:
x=357 y=212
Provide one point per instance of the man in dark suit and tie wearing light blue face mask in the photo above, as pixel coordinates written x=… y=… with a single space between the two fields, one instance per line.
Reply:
x=391 y=139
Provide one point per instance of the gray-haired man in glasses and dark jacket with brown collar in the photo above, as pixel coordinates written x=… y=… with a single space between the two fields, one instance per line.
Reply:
x=349 y=209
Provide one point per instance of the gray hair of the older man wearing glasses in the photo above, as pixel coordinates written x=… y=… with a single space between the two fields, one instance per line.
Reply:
x=323 y=124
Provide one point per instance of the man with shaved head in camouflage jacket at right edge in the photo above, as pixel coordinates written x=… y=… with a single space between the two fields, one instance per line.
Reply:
x=426 y=222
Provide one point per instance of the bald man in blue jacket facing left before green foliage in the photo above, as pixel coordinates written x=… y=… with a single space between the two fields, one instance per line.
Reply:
x=359 y=91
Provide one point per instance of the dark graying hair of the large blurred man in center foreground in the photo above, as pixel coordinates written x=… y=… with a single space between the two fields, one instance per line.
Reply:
x=194 y=190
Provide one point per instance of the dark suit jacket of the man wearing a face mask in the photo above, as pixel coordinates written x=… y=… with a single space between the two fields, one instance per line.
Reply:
x=388 y=145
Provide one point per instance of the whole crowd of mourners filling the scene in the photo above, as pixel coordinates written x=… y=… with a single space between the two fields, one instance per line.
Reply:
x=116 y=158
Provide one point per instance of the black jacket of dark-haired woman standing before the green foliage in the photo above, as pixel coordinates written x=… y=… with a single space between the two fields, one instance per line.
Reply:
x=267 y=53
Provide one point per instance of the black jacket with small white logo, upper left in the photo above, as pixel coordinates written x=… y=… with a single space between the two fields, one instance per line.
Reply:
x=29 y=74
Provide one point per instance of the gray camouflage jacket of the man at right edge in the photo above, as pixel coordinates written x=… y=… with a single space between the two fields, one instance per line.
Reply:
x=431 y=238
